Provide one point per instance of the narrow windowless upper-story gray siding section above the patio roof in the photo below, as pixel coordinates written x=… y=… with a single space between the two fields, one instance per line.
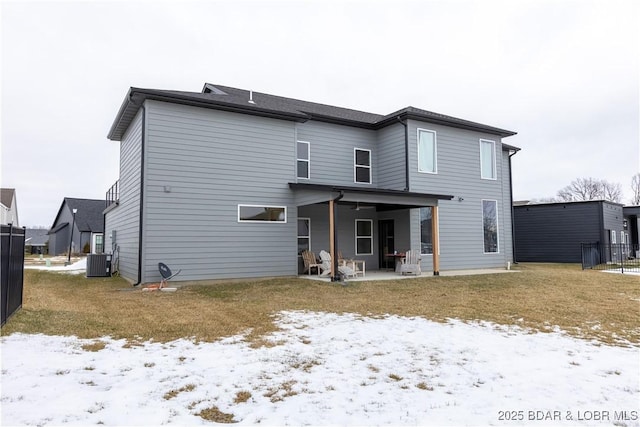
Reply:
x=391 y=158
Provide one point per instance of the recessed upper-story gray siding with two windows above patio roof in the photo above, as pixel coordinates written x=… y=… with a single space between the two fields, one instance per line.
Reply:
x=331 y=152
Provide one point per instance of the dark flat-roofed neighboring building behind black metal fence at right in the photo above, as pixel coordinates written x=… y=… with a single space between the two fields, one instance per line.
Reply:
x=553 y=232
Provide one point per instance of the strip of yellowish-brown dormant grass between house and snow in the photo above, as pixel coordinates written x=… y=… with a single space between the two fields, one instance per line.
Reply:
x=587 y=304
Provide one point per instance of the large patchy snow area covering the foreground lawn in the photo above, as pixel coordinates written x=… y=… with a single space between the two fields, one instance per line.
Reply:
x=327 y=369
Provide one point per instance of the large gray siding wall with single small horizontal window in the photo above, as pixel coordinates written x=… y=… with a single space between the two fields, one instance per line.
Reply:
x=201 y=164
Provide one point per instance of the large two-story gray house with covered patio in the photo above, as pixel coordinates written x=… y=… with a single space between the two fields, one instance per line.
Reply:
x=229 y=183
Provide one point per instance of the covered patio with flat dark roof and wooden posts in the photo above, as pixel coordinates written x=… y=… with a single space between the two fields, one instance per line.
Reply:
x=368 y=224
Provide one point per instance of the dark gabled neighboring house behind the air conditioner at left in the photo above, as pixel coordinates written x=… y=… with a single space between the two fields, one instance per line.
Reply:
x=87 y=224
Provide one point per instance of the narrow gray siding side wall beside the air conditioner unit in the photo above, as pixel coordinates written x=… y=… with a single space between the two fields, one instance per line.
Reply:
x=125 y=218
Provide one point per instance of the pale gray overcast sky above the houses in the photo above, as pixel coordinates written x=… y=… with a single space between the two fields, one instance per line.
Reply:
x=563 y=74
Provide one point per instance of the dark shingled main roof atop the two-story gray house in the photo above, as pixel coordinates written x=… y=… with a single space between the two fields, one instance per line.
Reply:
x=261 y=104
